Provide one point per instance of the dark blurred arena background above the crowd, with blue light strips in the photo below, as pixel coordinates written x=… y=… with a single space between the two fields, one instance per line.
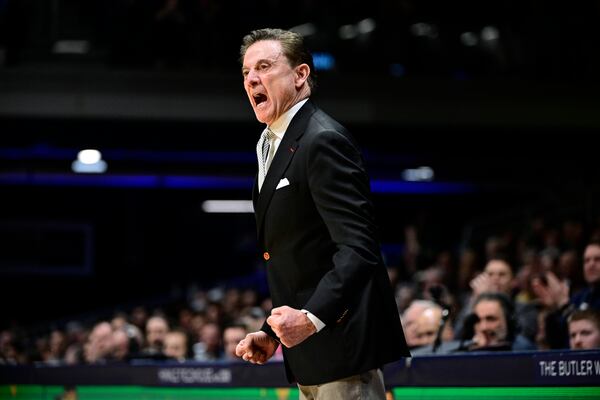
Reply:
x=477 y=121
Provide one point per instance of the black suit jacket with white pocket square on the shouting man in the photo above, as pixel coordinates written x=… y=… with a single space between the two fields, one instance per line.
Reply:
x=323 y=254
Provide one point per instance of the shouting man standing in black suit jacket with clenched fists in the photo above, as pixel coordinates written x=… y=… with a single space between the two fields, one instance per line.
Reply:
x=334 y=310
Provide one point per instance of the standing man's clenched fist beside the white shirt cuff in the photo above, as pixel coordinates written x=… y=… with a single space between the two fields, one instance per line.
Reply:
x=291 y=326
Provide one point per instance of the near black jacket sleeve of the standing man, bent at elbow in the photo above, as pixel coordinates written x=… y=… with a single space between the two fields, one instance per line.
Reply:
x=340 y=190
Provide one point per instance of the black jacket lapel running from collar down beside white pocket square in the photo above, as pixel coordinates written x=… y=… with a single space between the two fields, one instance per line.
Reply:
x=285 y=152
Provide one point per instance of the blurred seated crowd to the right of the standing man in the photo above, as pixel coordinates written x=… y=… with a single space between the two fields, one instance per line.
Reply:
x=523 y=292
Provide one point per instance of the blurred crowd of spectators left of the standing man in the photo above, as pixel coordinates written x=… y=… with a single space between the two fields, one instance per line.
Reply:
x=206 y=327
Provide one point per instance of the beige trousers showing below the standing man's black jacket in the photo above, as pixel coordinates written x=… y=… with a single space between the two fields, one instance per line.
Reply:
x=366 y=386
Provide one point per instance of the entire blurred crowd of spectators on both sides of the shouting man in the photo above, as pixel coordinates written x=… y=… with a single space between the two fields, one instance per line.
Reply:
x=531 y=289
